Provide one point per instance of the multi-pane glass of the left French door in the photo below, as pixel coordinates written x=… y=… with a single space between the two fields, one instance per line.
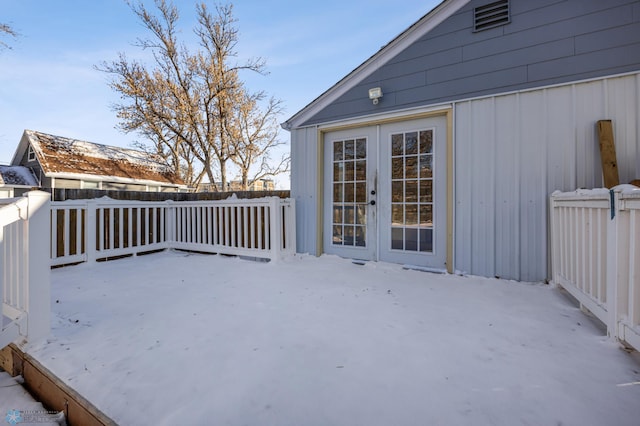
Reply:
x=349 y=192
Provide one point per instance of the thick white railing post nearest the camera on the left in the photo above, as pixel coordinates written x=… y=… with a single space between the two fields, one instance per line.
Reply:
x=38 y=304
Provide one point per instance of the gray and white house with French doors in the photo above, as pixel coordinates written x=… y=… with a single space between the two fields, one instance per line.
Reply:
x=441 y=150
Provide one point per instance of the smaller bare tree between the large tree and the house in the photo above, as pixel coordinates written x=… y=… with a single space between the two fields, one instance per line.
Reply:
x=254 y=134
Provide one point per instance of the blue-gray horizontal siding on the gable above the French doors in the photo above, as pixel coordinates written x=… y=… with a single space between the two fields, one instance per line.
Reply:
x=547 y=42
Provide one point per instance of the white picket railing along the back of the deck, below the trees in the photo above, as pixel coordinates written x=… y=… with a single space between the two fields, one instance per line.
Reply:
x=90 y=230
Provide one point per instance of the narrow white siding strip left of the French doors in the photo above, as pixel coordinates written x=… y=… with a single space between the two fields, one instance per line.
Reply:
x=304 y=186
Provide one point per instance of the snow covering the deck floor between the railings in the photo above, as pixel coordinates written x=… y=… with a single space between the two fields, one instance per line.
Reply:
x=177 y=338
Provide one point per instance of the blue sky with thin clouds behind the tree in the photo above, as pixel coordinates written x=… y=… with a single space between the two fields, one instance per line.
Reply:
x=48 y=83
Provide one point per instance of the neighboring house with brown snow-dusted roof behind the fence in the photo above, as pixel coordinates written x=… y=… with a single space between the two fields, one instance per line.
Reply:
x=59 y=162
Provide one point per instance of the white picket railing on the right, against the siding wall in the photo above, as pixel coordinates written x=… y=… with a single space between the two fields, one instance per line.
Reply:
x=595 y=255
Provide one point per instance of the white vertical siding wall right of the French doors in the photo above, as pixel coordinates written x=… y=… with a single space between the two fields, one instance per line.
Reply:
x=512 y=151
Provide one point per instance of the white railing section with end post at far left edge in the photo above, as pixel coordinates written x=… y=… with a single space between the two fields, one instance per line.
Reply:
x=24 y=268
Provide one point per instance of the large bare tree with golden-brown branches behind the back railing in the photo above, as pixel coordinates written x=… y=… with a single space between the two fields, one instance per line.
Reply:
x=183 y=101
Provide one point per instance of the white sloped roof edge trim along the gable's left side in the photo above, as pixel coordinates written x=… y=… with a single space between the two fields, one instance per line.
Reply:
x=425 y=24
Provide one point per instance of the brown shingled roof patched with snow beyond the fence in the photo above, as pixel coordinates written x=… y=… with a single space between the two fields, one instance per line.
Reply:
x=60 y=156
